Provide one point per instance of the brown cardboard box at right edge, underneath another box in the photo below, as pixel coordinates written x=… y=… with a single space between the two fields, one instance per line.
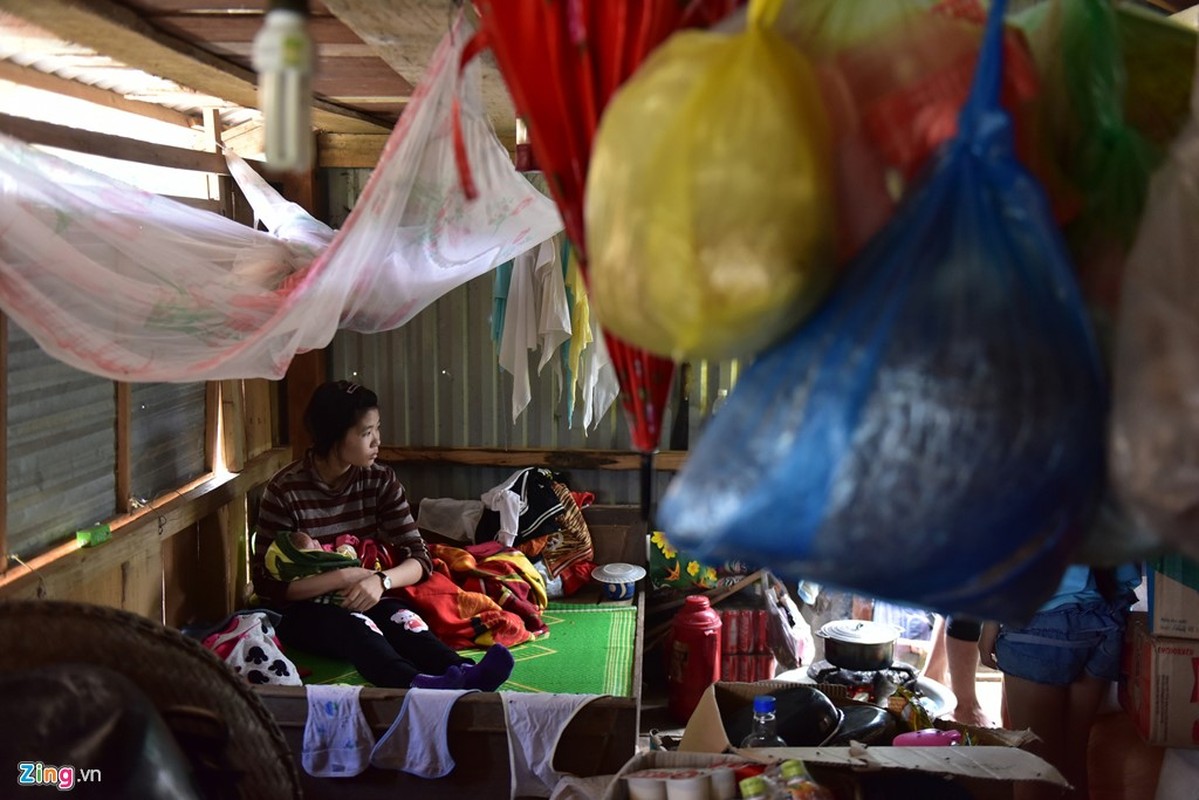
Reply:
x=1160 y=688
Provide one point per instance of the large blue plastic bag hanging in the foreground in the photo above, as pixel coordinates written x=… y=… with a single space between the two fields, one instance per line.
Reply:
x=935 y=435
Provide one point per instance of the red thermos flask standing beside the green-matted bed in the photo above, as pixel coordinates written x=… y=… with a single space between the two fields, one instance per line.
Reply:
x=695 y=652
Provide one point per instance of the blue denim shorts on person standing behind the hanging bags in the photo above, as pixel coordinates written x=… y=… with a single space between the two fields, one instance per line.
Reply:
x=1058 y=646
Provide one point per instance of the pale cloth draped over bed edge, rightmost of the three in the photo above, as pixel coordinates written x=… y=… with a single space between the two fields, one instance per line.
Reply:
x=535 y=724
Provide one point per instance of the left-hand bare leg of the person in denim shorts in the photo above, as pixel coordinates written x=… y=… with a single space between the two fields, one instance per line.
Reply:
x=1044 y=709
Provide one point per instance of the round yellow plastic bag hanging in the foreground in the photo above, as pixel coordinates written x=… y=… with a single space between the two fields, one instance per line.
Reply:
x=709 y=206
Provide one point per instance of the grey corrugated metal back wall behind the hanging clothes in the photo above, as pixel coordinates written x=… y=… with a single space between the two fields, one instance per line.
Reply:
x=441 y=386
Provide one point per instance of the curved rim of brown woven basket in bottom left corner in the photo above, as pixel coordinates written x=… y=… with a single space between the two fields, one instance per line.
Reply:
x=177 y=673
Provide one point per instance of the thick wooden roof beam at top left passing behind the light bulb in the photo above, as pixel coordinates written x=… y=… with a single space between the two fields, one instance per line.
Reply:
x=118 y=32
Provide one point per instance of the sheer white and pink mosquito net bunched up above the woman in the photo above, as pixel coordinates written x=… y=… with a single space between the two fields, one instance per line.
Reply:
x=136 y=287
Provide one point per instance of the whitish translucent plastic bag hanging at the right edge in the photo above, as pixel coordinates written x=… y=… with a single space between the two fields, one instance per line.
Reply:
x=1155 y=434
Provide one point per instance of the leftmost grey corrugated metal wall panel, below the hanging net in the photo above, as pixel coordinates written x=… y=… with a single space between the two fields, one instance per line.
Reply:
x=62 y=448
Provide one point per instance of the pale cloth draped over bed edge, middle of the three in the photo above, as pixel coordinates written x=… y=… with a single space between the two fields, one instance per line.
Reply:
x=417 y=743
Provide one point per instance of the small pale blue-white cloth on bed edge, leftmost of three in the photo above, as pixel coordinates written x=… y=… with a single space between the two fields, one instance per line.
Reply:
x=338 y=741
